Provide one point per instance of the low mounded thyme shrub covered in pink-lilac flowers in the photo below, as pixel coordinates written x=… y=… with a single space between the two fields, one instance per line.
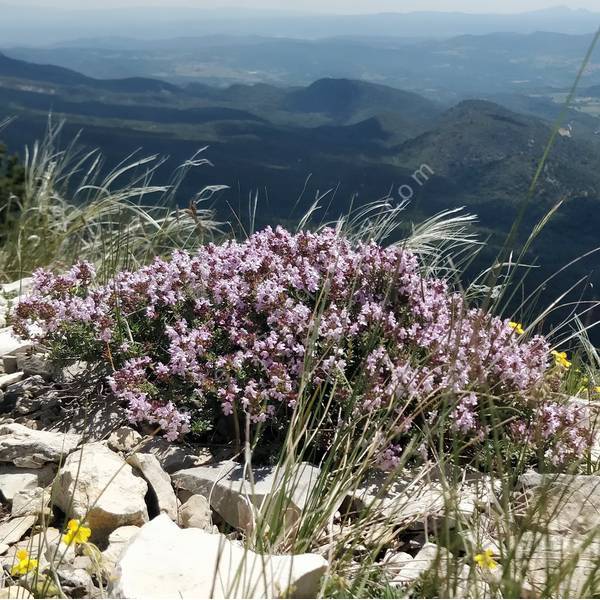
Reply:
x=241 y=327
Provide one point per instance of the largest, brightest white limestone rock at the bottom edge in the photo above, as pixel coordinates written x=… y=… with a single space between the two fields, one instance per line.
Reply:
x=162 y=561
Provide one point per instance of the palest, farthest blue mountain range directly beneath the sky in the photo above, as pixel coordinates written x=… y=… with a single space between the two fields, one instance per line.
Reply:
x=23 y=24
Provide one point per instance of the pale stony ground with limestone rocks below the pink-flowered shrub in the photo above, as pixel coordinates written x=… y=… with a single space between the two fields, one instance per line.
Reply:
x=170 y=520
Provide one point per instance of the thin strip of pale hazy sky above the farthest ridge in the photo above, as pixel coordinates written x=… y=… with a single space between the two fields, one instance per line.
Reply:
x=342 y=6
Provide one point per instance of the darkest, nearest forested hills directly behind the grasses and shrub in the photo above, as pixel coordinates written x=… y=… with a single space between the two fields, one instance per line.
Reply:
x=346 y=141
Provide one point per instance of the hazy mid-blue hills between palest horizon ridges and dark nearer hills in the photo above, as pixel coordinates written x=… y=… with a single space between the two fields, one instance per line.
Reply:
x=443 y=69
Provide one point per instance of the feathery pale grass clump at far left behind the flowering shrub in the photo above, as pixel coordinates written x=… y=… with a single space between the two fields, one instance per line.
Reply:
x=69 y=211
